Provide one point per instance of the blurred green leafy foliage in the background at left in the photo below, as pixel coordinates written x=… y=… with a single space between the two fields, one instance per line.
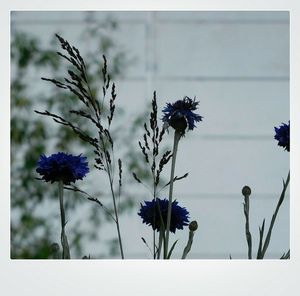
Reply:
x=34 y=204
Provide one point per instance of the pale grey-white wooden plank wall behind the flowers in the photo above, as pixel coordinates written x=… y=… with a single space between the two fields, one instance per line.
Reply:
x=237 y=65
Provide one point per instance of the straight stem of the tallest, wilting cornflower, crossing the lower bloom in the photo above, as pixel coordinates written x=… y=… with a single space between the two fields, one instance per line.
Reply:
x=177 y=136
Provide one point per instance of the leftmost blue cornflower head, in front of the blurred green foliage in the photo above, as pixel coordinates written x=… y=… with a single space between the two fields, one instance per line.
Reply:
x=62 y=167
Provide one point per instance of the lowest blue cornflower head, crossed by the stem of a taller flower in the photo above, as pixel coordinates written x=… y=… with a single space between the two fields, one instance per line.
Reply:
x=151 y=216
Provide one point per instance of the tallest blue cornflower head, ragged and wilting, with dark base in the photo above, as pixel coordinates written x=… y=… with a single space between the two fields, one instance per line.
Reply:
x=180 y=114
